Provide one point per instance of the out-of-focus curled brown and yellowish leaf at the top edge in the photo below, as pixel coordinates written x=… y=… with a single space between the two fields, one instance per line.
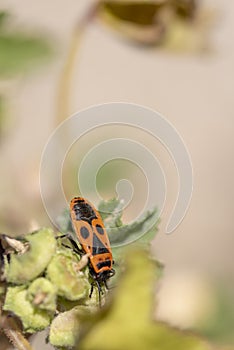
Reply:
x=177 y=25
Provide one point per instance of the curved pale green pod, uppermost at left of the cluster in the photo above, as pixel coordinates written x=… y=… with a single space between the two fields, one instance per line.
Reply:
x=24 y=268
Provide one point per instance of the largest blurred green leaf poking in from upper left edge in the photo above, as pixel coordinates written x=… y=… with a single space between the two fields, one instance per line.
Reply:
x=20 y=52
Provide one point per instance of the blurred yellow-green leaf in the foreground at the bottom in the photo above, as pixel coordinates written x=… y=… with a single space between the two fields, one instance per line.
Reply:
x=128 y=323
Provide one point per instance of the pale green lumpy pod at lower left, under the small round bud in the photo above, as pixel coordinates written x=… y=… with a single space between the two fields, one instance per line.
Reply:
x=33 y=319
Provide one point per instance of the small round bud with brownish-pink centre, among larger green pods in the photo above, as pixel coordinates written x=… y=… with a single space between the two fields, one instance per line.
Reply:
x=42 y=294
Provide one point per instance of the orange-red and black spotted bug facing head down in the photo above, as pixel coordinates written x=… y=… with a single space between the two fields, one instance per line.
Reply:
x=92 y=236
